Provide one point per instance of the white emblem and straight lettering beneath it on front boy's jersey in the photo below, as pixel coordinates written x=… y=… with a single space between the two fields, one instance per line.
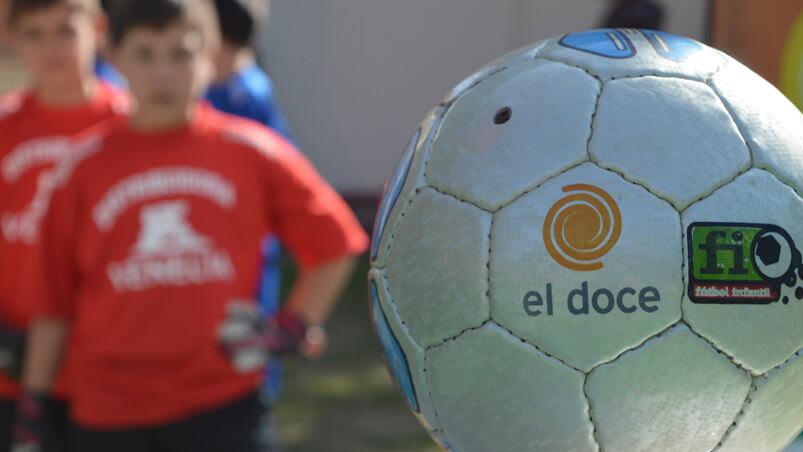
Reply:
x=170 y=253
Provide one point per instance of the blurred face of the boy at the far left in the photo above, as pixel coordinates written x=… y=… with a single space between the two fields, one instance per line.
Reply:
x=57 y=44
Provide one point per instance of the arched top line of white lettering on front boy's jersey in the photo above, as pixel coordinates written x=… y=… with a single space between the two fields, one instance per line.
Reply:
x=161 y=182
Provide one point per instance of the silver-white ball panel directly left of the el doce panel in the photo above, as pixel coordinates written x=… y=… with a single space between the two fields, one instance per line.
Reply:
x=437 y=267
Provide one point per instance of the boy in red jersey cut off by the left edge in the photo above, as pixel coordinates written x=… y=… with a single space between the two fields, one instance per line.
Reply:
x=56 y=41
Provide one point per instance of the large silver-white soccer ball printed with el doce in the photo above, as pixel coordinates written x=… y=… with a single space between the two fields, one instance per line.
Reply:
x=594 y=243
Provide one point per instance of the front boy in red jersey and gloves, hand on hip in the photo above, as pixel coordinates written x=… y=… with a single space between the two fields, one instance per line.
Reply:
x=152 y=241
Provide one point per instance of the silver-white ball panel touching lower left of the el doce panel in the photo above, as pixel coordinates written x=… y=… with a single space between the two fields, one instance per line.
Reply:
x=495 y=393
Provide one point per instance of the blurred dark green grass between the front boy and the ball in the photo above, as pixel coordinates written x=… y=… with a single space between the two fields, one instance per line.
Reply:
x=346 y=402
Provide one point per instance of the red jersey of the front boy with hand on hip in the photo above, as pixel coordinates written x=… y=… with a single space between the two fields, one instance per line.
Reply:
x=151 y=237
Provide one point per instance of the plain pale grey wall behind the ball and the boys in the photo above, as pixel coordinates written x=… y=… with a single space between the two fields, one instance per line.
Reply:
x=356 y=76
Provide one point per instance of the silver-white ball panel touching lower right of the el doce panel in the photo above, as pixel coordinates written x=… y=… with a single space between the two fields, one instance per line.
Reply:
x=675 y=393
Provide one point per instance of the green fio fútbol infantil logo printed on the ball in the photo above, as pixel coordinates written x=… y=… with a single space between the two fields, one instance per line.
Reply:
x=741 y=263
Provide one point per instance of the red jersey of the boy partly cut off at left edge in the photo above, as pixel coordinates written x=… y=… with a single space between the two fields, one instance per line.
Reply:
x=33 y=137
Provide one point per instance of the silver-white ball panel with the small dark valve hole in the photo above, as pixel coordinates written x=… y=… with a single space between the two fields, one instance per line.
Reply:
x=512 y=131
